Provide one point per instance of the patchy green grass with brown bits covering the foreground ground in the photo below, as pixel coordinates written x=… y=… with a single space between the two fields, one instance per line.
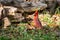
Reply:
x=21 y=33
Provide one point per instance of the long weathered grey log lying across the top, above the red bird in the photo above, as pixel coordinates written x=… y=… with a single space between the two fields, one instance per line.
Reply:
x=26 y=6
